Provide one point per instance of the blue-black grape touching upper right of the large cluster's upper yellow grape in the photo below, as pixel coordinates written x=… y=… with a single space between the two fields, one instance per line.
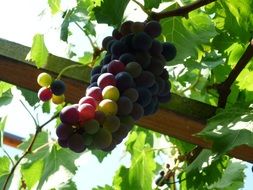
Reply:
x=124 y=81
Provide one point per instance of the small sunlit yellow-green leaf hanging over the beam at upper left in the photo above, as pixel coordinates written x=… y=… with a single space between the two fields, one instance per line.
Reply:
x=38 y=52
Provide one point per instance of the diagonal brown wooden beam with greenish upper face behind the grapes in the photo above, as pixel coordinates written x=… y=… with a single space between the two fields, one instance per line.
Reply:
x=181 y=119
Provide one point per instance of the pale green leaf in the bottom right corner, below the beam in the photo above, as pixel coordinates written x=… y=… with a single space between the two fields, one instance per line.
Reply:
x=232 y=179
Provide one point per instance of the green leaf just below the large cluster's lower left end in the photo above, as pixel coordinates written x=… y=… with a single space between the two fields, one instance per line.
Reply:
x=58 y=157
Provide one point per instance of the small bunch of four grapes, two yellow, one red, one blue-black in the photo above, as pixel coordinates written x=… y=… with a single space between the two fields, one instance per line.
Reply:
x=51 y=89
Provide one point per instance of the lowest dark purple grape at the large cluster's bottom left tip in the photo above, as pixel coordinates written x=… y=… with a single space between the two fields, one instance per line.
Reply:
x=76 y=143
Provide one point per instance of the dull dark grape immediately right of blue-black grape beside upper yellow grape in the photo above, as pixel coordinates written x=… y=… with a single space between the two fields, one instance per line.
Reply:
x=145 y=79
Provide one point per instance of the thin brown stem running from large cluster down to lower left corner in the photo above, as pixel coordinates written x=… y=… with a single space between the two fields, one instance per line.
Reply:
x=28 y=150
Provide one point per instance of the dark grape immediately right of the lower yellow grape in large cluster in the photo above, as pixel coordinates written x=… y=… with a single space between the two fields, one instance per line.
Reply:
x=125 y=106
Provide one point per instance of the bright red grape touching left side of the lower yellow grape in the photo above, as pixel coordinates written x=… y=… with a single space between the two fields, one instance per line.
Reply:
x=86 y=112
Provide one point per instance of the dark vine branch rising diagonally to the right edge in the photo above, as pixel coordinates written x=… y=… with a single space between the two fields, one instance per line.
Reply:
x=224 y=88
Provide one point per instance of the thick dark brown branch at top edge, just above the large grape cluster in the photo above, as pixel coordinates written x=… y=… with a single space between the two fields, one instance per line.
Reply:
x=181 y=11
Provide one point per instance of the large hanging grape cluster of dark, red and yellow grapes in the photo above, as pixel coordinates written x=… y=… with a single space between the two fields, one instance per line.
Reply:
x=129 y=83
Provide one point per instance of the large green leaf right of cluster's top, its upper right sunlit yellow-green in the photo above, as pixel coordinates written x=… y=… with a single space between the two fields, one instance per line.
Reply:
x=188 y=35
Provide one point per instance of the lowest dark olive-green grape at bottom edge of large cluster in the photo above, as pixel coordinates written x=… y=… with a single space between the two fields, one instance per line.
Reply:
x=102 y=139
